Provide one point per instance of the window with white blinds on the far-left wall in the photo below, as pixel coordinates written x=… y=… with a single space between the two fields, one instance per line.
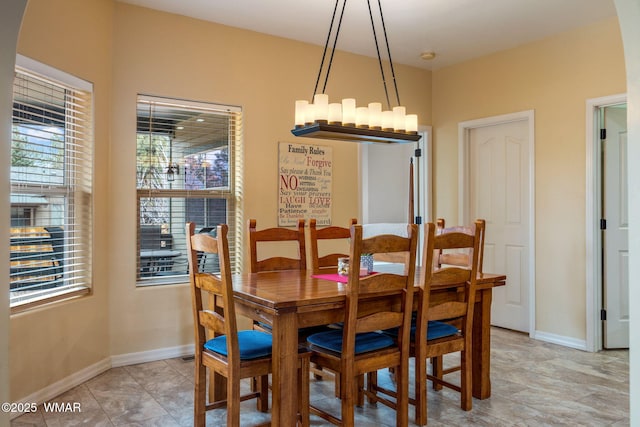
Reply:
x=51 y=185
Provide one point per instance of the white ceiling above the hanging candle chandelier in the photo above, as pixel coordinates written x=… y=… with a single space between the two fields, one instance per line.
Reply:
x=456 y=30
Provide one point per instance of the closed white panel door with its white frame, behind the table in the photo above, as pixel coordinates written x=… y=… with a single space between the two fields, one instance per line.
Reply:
x=497 y=184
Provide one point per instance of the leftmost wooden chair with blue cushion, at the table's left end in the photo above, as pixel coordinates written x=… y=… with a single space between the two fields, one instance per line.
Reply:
x=220 y=347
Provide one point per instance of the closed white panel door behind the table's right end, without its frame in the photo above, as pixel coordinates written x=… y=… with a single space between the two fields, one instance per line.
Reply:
x=499 y=174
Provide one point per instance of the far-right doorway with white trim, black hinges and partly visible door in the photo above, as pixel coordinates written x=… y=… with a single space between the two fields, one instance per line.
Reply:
x=607 y=224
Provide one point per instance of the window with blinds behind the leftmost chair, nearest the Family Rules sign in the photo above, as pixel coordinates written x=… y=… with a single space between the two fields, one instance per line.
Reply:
x=188 y=163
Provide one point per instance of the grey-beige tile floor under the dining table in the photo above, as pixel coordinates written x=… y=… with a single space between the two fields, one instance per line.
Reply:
x=533 y=384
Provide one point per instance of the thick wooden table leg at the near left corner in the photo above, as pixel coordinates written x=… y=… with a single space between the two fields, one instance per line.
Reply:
x=284 y=411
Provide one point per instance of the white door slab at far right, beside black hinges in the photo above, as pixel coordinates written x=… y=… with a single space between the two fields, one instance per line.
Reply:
x=615 y=237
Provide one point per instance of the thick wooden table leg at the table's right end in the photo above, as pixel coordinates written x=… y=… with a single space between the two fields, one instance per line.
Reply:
x=481 y=359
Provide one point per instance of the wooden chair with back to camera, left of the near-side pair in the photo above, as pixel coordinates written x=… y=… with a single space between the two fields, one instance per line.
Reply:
x=373 y=303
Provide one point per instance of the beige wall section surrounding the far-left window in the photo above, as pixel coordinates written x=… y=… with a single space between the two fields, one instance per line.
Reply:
x=53 y=342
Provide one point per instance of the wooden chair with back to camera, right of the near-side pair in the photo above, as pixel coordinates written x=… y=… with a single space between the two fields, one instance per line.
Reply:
x=435 y=319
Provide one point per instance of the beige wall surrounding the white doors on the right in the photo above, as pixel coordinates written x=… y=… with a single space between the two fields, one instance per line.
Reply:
x=554 y=77
